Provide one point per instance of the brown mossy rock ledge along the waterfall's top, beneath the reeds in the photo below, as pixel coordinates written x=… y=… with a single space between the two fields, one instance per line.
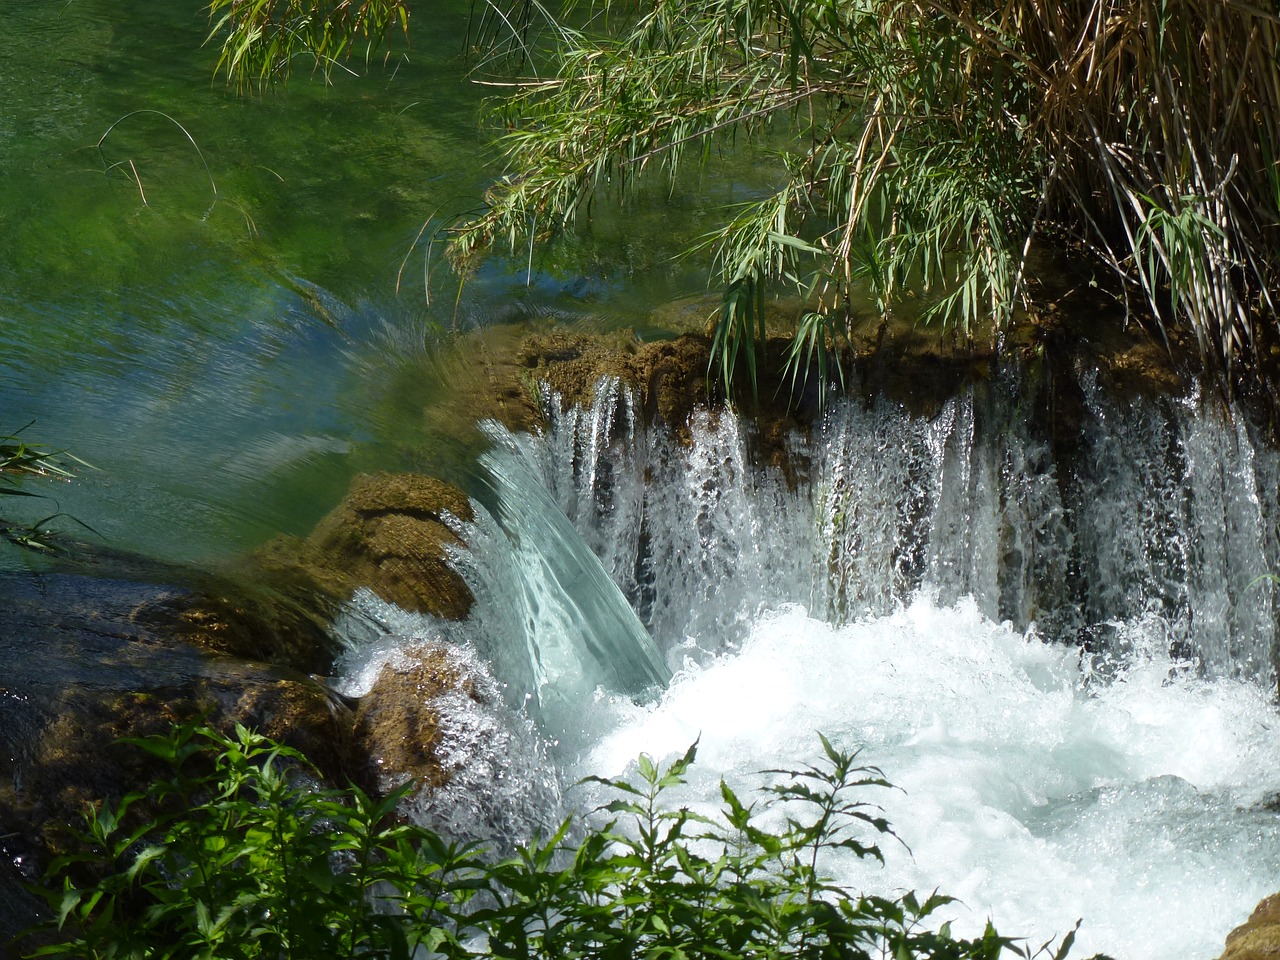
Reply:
x=500 y=373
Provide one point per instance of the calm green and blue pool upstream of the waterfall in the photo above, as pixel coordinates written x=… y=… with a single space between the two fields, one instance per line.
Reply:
x=216 y=324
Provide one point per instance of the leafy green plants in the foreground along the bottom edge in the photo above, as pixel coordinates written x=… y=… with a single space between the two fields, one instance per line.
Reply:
x=239 y=854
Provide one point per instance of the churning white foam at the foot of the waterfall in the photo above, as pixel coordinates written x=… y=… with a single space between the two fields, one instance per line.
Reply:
x=1031 y=792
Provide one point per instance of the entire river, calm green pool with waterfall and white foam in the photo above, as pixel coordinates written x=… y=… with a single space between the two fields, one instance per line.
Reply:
x=1068 y=669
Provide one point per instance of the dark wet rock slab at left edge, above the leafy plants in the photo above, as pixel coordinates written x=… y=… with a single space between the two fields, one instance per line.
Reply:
x=90 y=661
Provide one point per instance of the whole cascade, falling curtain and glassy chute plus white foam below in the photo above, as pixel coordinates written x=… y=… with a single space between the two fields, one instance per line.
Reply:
x=1067 y=666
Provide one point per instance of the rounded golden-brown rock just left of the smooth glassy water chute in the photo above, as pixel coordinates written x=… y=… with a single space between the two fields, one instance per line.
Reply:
x=391 y=534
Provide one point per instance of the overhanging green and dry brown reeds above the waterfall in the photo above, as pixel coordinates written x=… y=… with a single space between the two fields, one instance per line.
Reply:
x=922 y=154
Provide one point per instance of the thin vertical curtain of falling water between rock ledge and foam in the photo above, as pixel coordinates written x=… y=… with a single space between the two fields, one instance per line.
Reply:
x=1168 y=511
